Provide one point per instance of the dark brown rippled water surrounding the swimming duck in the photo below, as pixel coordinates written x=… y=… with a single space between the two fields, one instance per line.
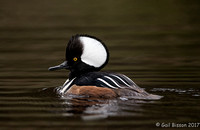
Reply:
x=155 y=43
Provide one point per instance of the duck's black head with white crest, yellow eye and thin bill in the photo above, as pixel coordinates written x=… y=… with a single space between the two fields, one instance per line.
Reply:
x=84 y=54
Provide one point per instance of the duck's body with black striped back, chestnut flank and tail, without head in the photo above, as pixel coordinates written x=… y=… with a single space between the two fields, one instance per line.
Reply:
x=107 y=85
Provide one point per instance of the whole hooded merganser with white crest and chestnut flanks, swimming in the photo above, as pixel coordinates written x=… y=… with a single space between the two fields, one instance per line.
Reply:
x=85 y=56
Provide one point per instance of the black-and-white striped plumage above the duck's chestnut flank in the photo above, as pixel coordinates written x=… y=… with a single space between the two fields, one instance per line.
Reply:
x=102 y=79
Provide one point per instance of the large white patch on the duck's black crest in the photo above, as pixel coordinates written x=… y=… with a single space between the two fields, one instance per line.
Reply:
x=94 y=53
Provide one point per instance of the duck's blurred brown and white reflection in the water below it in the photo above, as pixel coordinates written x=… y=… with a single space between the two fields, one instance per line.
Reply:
x=94 y=109
